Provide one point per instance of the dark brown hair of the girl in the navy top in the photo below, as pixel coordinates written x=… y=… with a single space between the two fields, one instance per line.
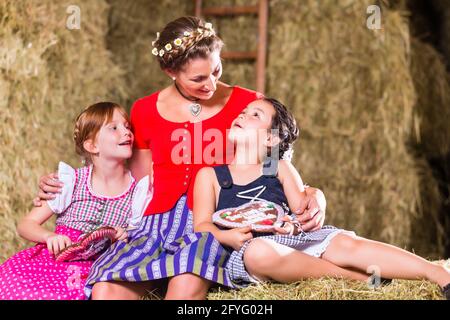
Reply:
x=284 y=122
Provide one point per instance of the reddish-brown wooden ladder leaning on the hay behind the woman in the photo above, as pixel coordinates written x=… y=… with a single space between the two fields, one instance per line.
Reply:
x=260 y=54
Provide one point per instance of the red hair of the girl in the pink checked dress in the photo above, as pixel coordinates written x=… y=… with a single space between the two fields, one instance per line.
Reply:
x=90 y=121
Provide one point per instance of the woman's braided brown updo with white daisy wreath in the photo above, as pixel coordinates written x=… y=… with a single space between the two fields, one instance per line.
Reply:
x=183 y=39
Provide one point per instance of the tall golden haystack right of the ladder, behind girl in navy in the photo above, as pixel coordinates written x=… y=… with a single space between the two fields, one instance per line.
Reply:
x=356 y=113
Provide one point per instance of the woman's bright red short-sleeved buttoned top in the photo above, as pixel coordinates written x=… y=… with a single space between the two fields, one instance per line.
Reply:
x=181 y=149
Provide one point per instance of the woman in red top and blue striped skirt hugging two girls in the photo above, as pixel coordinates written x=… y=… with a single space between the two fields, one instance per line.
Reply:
x=179 y=130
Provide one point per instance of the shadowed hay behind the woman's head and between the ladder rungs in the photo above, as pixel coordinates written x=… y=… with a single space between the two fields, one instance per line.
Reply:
x=134 y=25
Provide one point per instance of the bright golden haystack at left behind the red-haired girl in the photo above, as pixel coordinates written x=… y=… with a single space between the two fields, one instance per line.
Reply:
x=48 y=74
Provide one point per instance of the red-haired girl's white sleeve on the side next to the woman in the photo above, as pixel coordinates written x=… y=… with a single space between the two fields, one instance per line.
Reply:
x=142 y=196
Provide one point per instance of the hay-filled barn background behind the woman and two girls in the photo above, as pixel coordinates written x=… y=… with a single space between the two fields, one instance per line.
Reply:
x=373 y=105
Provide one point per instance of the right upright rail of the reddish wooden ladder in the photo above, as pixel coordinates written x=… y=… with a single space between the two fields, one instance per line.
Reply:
x=262 y=46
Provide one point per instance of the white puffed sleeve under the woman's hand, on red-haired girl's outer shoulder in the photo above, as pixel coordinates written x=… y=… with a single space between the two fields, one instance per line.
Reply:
x=66 y=174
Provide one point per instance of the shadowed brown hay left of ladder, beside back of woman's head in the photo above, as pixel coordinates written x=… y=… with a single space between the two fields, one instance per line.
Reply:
x=133 y=27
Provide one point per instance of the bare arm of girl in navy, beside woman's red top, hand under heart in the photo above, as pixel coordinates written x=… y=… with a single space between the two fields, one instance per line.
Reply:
x=205 y=206
